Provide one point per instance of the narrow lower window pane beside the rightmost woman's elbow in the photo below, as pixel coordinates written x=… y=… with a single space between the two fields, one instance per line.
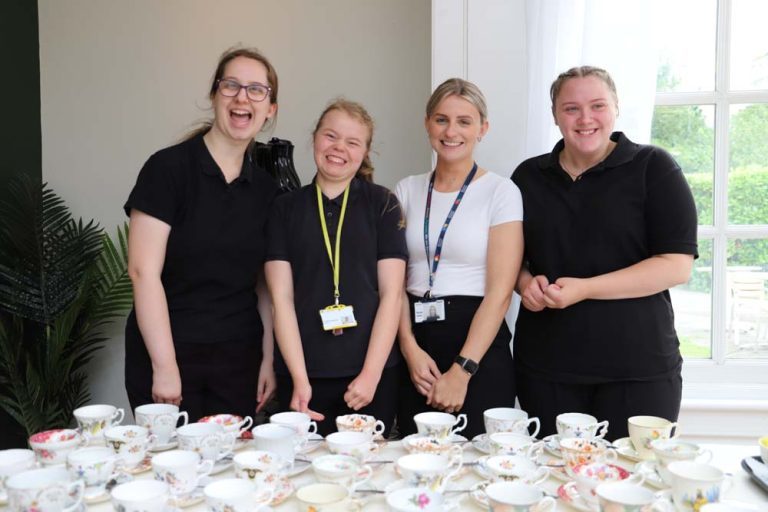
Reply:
x=693 y=307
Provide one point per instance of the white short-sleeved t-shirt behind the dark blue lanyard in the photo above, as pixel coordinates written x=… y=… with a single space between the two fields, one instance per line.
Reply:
x=490 y=200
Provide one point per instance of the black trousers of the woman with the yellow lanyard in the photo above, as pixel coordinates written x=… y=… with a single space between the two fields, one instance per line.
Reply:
x=328 y=399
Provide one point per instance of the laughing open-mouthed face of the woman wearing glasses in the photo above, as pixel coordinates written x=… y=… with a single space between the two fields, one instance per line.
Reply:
x=238 y=118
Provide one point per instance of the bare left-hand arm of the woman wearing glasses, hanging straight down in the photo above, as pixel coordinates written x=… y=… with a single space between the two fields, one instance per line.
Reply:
x=147 y=240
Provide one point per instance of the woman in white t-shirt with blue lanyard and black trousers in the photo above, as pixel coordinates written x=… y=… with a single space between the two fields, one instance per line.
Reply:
x=465 y=245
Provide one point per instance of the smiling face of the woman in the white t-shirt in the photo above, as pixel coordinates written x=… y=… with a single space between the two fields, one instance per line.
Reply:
x=454 y=128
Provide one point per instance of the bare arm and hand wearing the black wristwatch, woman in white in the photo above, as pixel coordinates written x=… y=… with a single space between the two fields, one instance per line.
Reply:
x=505 y=253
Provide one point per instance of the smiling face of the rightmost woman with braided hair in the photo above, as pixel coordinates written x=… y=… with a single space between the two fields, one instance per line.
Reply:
x=585 y=111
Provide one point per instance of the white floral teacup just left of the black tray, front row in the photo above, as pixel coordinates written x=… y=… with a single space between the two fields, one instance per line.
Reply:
x=694 y=484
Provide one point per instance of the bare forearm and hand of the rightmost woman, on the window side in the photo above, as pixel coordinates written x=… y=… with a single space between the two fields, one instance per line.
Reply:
x=647 y=277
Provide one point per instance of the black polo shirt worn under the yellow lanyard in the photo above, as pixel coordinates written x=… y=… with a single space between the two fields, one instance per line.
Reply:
x=373 y=230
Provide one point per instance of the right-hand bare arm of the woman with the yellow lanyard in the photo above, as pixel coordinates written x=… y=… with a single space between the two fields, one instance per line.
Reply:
x=391 y=275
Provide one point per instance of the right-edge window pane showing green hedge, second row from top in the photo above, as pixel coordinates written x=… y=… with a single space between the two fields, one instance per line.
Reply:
x=748 y=174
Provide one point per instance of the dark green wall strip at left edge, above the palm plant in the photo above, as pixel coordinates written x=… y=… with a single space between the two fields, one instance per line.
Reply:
x=20 y=134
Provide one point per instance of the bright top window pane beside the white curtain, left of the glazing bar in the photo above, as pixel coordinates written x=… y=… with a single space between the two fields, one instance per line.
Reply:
x=686 y=37
